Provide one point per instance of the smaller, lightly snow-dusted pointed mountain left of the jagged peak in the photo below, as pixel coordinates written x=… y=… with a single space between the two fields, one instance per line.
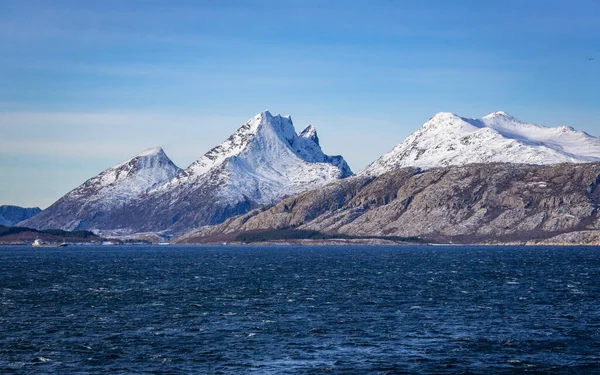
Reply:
x=96 y=199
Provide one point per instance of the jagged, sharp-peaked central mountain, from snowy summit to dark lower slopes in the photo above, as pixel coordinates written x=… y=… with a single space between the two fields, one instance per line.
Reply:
x=262 y=162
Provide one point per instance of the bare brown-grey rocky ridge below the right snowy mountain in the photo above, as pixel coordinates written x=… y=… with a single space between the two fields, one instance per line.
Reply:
x=474 y=203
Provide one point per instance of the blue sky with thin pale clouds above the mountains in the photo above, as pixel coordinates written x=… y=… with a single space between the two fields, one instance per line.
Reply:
x=85 y=85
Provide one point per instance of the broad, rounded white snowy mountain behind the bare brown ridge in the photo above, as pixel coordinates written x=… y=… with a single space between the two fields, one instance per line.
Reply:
x=447 y=139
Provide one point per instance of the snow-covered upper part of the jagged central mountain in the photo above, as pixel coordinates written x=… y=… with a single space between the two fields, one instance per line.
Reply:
x=264 y=160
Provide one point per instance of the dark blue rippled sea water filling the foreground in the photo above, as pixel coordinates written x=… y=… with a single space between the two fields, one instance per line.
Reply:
x=302 y=310
